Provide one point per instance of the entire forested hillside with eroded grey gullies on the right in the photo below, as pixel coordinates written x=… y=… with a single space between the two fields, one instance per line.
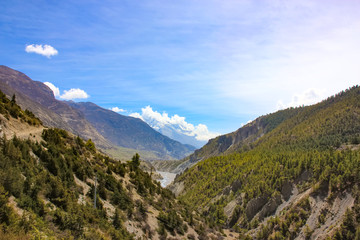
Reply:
x=291 y=174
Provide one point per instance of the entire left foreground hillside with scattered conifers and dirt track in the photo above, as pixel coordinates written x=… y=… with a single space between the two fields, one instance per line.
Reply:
x=48 y=179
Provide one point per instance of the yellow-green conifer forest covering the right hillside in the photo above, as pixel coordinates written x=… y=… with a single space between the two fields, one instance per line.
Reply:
x=320 y=140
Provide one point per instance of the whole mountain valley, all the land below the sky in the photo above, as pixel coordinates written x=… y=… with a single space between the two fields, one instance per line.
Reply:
x=291 y=174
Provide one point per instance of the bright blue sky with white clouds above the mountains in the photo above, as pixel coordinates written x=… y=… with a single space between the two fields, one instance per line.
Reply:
x=204 y=67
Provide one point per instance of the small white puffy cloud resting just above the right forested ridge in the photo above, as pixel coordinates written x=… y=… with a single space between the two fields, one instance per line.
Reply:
x=310 y=96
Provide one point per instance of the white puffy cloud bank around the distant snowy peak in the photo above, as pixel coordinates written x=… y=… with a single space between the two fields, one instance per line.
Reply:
x=177 y=123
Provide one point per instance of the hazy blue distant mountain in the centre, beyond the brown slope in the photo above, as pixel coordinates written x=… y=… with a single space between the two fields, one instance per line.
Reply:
x=131 y=132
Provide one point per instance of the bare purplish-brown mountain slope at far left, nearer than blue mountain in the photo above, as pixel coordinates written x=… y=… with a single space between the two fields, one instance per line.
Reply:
x=38 y=98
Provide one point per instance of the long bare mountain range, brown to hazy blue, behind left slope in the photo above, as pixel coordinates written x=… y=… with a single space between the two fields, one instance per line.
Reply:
x=102 y=128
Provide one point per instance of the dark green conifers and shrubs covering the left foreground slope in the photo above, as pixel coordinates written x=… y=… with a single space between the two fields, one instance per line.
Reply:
x=41 y=178
